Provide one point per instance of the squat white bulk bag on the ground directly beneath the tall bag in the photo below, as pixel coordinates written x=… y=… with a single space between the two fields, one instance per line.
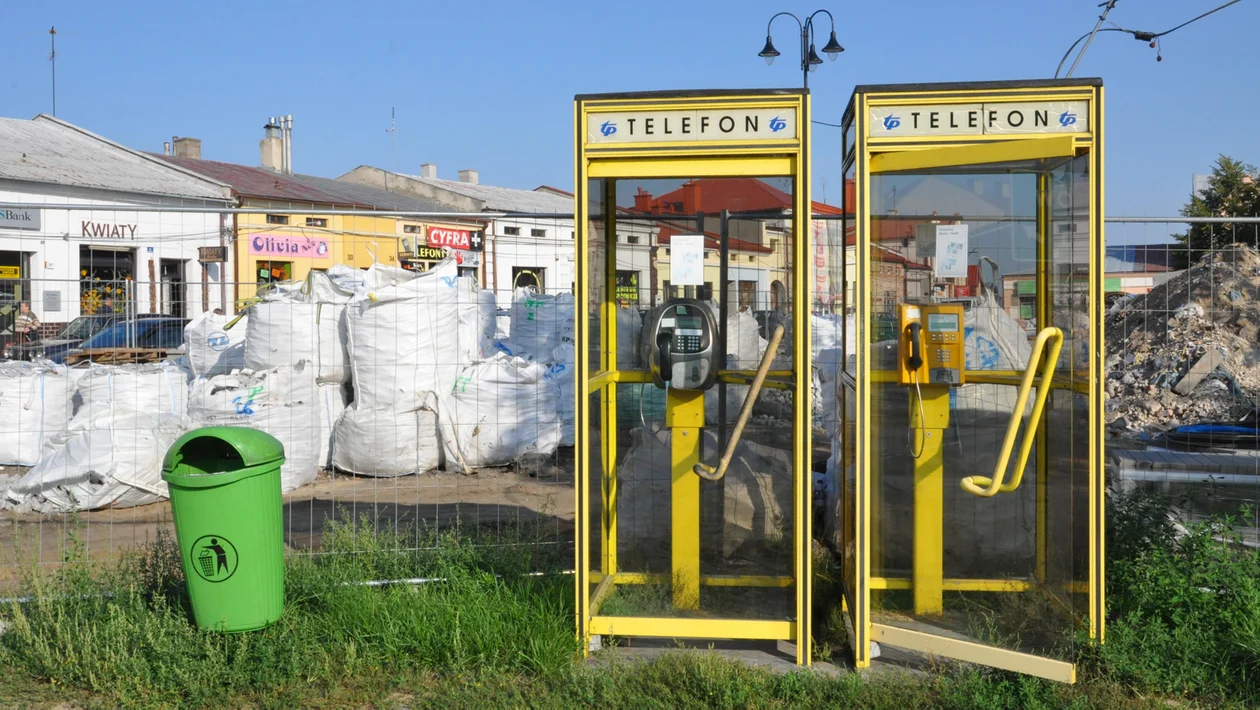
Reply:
x=385 y=442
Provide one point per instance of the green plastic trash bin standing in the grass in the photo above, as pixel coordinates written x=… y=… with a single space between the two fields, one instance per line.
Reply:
x=225 y=496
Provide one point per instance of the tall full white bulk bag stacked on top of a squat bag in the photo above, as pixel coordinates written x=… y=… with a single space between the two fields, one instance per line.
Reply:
x=405 y=341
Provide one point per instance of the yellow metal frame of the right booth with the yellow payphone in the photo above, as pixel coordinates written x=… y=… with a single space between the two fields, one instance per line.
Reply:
x=883 y=154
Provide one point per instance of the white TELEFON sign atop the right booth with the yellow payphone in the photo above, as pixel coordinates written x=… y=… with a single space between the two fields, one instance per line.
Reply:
x=980 y=119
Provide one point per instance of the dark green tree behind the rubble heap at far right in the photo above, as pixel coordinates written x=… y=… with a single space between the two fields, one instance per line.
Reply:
x=1233 y=191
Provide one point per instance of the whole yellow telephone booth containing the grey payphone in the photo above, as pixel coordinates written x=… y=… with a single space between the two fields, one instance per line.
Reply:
x=694 y=424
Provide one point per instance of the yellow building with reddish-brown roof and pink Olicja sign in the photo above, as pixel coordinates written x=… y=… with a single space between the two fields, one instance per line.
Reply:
x=280 y=245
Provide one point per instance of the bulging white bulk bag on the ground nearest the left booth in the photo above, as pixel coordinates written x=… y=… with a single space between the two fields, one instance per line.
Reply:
x=503 y=409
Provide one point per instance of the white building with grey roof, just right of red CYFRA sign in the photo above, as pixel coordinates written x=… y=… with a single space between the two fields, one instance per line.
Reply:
x=522 y=250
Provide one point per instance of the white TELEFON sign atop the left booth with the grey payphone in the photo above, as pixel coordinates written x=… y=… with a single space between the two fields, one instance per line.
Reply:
x=691 y=127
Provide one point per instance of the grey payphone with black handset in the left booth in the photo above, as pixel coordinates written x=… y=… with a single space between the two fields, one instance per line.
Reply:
x=679 y=345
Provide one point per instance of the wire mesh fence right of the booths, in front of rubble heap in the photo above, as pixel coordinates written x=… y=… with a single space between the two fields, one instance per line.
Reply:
x=1183 y=378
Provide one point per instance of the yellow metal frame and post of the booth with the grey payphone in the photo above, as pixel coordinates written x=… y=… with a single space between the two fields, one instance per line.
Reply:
x=695 y=160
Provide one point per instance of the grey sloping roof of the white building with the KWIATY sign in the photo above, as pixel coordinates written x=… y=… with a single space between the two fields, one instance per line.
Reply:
x=52 y=152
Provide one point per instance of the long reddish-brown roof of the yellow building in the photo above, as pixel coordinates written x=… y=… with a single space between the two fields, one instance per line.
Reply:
x=263 y=183
